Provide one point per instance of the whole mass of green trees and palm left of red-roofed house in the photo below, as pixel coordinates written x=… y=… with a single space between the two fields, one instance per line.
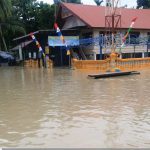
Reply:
x=23 y=16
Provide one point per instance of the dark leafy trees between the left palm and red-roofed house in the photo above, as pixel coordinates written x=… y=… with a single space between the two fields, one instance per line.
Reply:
x=34 y=15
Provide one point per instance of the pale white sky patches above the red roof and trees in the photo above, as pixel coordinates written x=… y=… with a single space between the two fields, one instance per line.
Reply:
x=130 y=3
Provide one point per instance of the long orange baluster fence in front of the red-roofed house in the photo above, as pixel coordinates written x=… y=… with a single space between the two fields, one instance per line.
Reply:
x=104 y=65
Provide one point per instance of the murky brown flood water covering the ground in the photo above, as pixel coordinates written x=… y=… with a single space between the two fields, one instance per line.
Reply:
x=63 y=108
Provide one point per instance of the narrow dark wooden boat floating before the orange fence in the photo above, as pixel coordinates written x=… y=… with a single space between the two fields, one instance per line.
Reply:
x=113 y=74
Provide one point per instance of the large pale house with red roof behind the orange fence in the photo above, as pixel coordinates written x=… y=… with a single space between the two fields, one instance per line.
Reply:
x=90 y=21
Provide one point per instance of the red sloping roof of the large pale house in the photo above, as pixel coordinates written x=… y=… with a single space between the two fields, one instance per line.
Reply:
x=94 y=16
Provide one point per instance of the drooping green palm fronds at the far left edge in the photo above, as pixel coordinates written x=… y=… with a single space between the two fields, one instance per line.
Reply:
x=8 y=24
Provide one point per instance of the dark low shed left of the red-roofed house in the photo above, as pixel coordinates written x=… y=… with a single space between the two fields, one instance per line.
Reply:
x=27 y=49
